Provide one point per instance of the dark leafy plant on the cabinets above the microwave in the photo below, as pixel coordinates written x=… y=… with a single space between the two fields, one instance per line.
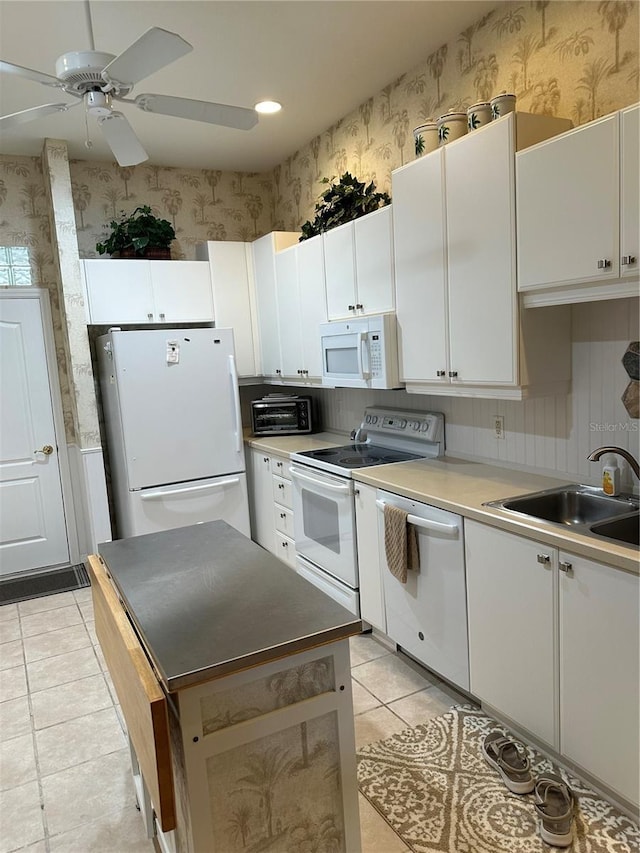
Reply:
x=343 y=201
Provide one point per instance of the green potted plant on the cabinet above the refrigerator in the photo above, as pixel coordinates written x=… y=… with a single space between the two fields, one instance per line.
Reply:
x=140 y=234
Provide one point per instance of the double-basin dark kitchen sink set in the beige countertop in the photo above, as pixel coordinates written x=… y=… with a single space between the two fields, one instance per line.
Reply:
x=584 y=509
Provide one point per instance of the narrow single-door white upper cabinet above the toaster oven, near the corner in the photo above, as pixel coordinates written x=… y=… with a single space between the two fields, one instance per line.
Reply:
x=264 y=251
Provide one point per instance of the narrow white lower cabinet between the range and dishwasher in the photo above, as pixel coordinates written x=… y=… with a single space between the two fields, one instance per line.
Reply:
x=369 y=563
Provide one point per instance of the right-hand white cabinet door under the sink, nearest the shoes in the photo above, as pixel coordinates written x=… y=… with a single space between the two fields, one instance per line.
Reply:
x=599 y=667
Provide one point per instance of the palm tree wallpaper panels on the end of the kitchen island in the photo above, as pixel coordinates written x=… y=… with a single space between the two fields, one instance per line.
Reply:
x=281 y=792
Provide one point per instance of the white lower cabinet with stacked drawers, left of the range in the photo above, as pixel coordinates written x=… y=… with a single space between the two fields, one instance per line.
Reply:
x=271 y=504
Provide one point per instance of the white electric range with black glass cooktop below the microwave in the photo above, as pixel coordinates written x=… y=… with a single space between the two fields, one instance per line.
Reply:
x=323 y=493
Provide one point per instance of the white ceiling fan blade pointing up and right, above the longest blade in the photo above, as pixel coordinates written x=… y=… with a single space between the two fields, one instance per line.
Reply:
x=151 y=52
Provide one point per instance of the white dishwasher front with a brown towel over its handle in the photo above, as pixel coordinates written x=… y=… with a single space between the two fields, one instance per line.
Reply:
x=427 y=615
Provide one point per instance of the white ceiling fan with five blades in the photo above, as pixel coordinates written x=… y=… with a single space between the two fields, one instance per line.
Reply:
x=99 y=79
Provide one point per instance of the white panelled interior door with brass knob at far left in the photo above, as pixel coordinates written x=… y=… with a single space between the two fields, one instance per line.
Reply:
x=32 y=520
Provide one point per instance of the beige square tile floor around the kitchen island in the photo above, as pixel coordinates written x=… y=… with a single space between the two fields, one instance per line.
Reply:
x=65 y=780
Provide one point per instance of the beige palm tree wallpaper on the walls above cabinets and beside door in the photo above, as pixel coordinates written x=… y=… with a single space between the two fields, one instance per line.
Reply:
x=576 y=59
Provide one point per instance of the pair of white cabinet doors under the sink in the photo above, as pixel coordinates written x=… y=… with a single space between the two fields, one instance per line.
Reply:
x=553 y=642
